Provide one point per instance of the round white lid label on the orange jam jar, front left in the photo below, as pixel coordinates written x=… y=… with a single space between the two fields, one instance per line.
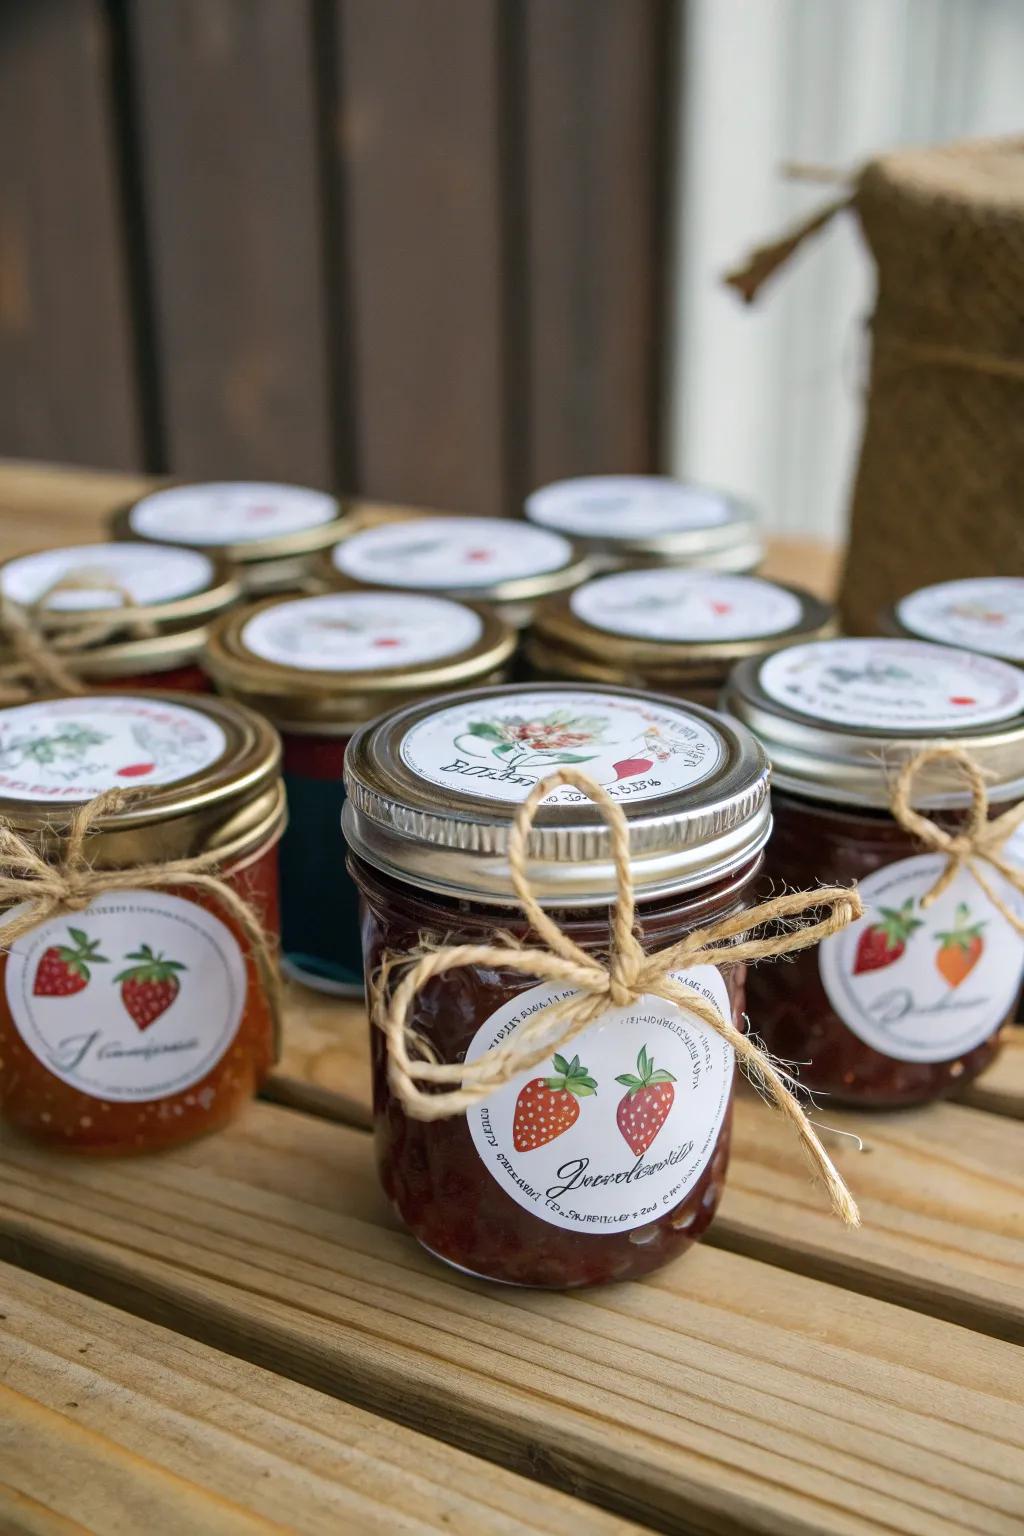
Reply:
x=74 y=749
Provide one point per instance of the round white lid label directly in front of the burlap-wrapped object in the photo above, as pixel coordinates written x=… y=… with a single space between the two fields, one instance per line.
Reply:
x=983 y=615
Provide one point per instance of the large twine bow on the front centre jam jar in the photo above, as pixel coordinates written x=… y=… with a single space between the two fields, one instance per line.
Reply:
x=630 y=973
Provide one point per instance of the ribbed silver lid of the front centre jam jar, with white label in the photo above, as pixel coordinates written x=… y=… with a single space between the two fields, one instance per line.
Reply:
x=434 y=793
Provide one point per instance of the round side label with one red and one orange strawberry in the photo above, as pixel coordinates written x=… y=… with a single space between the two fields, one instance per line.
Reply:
x=925 y=984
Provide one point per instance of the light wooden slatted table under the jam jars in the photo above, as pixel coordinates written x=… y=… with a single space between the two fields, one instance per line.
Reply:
x=239 y=1336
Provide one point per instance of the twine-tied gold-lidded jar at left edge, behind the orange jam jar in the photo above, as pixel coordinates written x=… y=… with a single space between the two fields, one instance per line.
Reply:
x=125 y=615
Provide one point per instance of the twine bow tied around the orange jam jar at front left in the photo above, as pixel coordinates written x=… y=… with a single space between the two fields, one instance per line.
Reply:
x=70 y=887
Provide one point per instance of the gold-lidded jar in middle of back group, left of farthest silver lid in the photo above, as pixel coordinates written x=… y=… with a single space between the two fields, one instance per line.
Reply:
x=495 y=563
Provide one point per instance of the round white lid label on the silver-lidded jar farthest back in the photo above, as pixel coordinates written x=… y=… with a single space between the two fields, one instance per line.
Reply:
x=627 y=506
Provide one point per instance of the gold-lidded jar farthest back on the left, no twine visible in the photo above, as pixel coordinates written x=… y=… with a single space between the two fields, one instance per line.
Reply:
x=268 y=535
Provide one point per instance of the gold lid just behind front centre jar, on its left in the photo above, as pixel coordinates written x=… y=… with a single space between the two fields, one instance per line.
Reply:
x=326 y=664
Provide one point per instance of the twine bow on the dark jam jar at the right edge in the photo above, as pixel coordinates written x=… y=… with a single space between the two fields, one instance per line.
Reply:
x=979 y=842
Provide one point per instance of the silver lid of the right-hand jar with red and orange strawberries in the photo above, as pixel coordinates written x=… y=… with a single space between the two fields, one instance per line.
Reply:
x=839 y=718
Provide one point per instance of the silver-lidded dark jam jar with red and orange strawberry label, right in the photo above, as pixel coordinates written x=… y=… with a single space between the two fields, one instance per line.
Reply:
x=907 y=1004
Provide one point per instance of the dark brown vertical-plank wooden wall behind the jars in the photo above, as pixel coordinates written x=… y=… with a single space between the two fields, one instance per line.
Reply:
x=406 y=248
